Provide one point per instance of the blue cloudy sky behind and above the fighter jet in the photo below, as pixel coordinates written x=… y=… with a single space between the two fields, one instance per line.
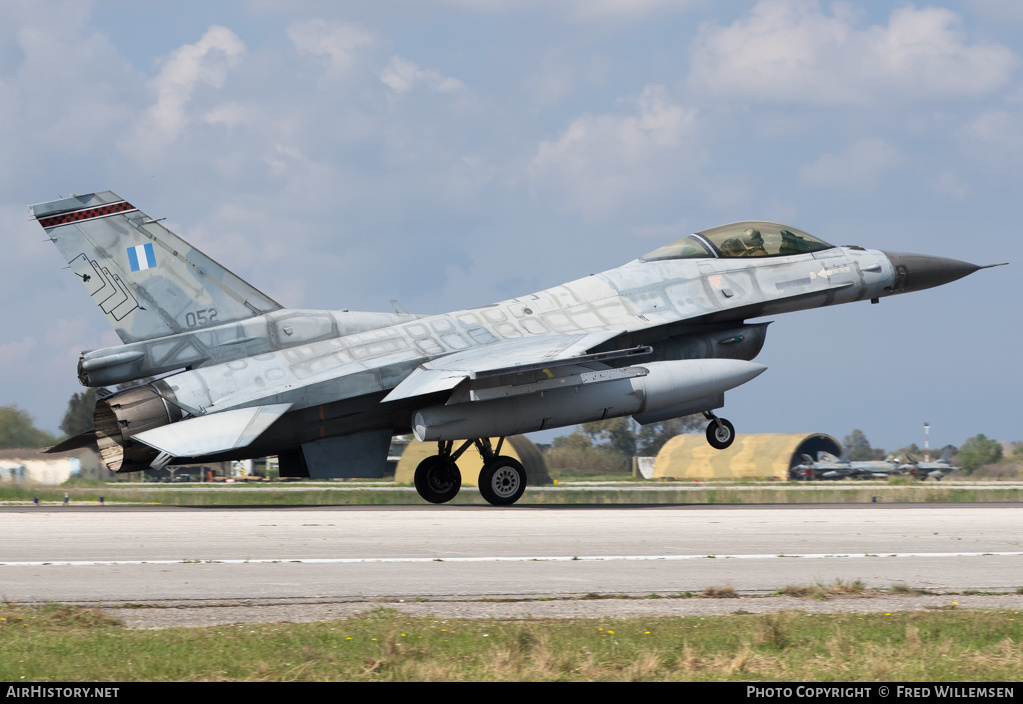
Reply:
x=455 y=153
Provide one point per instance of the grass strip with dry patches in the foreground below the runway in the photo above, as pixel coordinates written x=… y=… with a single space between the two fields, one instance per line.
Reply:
x=67 y=644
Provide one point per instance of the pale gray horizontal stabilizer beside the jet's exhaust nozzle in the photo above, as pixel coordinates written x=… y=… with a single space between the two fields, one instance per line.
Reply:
x=213 y=433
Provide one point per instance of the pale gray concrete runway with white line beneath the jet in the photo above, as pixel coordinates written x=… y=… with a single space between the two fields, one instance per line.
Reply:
x=152 y=555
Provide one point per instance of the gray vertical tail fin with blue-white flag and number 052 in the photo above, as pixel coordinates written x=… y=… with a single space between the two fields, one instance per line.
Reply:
x=148 y=281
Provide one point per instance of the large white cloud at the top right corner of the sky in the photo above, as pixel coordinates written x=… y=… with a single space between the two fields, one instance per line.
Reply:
x=791 y=52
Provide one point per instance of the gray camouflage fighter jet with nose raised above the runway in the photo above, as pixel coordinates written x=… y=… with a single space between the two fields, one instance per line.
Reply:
x=661 y=337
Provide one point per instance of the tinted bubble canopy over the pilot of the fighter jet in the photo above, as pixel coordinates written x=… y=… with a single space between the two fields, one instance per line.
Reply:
x=749 y=239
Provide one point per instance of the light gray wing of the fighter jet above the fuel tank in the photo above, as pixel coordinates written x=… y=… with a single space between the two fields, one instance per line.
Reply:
x=536 y=355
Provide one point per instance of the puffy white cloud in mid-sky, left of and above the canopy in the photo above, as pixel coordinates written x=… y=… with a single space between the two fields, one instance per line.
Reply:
x=601 y=162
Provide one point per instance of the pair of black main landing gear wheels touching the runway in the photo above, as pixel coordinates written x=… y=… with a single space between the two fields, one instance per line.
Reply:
x=503 y=479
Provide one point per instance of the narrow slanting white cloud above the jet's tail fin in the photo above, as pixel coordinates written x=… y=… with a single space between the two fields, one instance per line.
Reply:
x=205 y=63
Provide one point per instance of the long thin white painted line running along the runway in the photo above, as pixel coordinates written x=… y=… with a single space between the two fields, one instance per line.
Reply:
x=582 y=558
